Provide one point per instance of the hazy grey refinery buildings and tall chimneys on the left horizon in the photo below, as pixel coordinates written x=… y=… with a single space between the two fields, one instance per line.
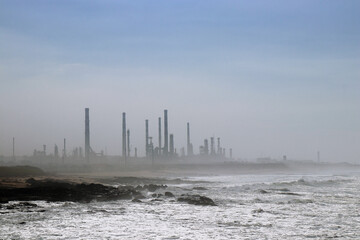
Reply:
x=162 y=151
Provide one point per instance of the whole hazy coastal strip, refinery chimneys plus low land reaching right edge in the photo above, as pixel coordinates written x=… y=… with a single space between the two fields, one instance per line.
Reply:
x=159 y=156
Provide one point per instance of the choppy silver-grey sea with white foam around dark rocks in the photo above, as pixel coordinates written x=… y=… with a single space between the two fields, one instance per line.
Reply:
x=248 y=207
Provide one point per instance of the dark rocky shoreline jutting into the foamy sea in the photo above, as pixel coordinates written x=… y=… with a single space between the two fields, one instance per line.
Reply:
x=52 y=190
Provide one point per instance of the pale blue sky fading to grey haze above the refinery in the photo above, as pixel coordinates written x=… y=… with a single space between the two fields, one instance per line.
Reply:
x=270 y=78
